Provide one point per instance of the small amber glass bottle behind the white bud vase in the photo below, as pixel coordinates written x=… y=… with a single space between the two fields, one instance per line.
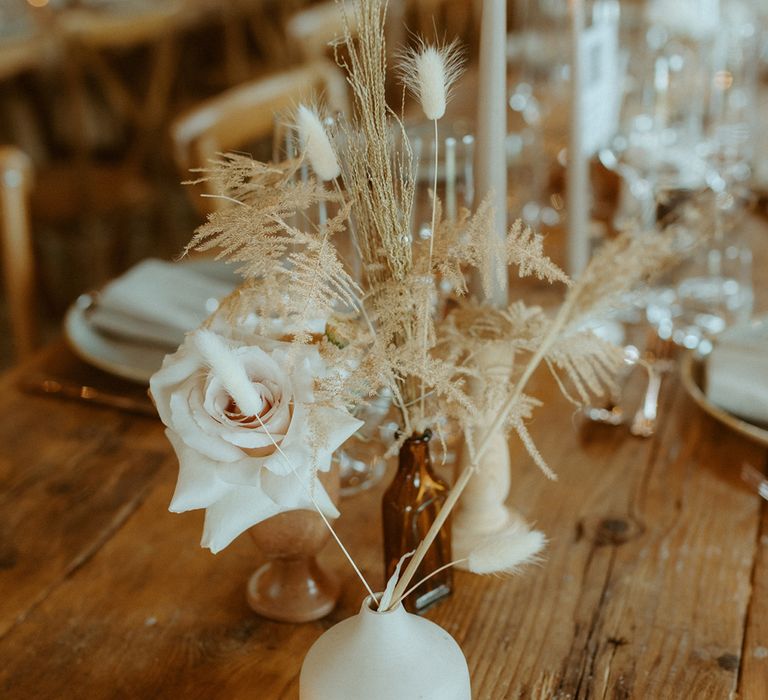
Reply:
x=410 y=506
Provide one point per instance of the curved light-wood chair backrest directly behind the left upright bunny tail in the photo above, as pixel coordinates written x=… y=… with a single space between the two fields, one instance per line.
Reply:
x=246 y=113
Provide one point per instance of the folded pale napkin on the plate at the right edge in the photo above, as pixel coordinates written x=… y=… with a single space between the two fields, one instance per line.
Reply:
x=737 y=371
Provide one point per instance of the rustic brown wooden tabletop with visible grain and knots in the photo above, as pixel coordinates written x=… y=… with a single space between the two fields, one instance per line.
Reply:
x=655 y=583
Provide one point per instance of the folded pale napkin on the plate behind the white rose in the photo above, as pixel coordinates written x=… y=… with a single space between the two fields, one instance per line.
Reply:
x=157 y=302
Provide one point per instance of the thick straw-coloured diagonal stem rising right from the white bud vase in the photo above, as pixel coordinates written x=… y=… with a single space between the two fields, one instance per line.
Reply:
x=471 y=468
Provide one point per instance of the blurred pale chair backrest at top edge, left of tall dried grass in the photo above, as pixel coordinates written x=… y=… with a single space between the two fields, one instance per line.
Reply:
x=311 y=30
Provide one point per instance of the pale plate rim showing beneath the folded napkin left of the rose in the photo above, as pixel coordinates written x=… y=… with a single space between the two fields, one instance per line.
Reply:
x=123 y=358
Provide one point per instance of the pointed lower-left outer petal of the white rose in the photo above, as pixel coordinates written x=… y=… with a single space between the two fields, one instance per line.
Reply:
x=197 y=485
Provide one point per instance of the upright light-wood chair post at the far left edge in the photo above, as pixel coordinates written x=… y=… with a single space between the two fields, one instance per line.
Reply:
x=16 y=241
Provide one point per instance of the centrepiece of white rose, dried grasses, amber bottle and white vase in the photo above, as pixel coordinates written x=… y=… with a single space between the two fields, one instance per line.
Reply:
x=257 y=400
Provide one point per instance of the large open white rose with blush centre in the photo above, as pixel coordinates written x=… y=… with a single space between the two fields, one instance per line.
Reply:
x=228 y=460
